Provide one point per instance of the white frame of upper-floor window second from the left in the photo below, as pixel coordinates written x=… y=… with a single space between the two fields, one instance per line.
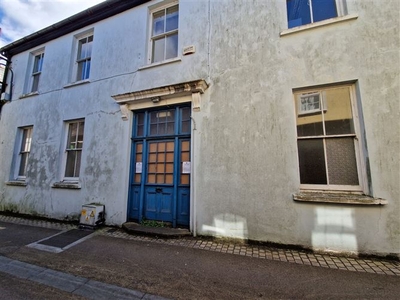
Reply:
x=75 y=58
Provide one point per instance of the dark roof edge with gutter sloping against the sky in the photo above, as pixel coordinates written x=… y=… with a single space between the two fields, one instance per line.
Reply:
x=84 y=18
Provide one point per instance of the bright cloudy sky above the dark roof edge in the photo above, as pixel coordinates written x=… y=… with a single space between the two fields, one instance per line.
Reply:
x=19 y=18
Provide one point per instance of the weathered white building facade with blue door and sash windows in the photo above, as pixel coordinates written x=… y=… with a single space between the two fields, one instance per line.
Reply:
x=274 y=121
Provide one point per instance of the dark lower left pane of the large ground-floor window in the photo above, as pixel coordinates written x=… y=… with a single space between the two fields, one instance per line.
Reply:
x=312 y=161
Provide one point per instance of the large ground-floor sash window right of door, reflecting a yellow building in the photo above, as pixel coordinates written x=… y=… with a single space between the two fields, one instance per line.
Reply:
x=328 y=139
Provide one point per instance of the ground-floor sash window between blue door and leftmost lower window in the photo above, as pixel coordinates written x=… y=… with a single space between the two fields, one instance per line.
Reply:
x=74 y=149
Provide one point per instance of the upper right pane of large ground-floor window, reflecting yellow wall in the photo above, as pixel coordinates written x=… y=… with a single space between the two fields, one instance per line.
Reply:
x=338 y=115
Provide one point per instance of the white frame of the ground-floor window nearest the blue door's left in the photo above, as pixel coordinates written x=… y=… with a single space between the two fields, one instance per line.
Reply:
x=66 y=150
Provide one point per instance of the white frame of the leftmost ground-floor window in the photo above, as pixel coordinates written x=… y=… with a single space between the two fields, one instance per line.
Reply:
x=24 y=145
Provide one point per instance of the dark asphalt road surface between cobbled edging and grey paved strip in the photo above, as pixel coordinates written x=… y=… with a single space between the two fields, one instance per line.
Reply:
x=186 y=273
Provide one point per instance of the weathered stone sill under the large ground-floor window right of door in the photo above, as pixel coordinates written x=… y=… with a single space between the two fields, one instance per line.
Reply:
x=338 y=198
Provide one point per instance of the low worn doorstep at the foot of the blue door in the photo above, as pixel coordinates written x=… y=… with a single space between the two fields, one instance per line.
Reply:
x=162 y=232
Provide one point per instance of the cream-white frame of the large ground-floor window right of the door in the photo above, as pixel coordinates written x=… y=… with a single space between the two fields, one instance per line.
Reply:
x=359 y=155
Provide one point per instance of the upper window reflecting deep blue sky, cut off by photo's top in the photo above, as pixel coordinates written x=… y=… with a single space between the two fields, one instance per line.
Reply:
x=301 y=12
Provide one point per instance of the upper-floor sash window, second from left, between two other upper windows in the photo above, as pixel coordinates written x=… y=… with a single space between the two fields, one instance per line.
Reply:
x=84 y=56
